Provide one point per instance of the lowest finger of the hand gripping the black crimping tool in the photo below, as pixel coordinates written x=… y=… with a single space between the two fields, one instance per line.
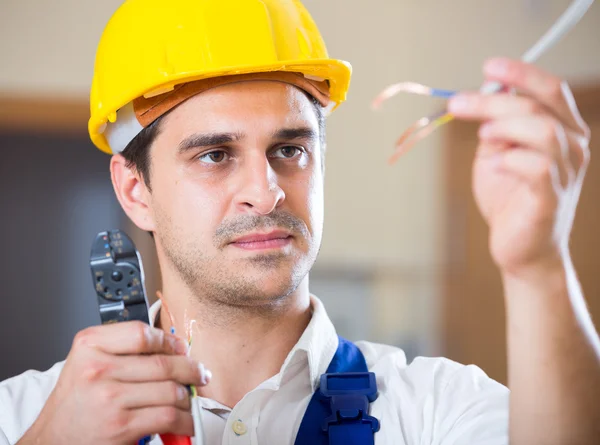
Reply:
x=161 y=420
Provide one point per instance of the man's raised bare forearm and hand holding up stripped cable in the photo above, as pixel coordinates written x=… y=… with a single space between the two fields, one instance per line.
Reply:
x=528 y=173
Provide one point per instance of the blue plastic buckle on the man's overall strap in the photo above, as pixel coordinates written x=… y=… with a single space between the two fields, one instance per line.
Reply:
x=349 y=395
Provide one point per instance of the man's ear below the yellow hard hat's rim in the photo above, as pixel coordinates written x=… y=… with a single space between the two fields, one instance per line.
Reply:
x=132 y=193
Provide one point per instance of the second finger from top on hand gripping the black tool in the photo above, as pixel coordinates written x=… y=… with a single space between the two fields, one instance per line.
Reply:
x=157 y=368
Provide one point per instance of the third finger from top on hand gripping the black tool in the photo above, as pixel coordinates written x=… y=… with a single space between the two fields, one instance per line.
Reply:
x=145 y=395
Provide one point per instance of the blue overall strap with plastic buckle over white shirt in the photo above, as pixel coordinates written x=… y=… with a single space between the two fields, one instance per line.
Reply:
x=338 y=411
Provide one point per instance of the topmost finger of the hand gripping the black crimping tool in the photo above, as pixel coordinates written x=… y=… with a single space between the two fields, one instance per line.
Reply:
x=132 y=337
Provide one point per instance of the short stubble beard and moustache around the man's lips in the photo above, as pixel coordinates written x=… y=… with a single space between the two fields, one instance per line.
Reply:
x=228 y=288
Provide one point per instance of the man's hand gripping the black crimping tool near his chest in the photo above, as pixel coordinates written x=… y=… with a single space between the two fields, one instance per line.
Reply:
x=120 y=383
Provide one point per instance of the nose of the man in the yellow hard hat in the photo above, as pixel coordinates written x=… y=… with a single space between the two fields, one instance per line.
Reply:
x=259 y=190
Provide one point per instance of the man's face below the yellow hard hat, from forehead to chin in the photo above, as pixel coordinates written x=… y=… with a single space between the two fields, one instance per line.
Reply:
x=237 y=192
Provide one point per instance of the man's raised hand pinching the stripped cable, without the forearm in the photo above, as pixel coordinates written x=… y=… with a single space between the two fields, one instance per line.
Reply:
x=529 y=166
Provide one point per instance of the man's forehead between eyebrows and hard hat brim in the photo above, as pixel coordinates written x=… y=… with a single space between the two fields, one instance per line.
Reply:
x=256 y=104
